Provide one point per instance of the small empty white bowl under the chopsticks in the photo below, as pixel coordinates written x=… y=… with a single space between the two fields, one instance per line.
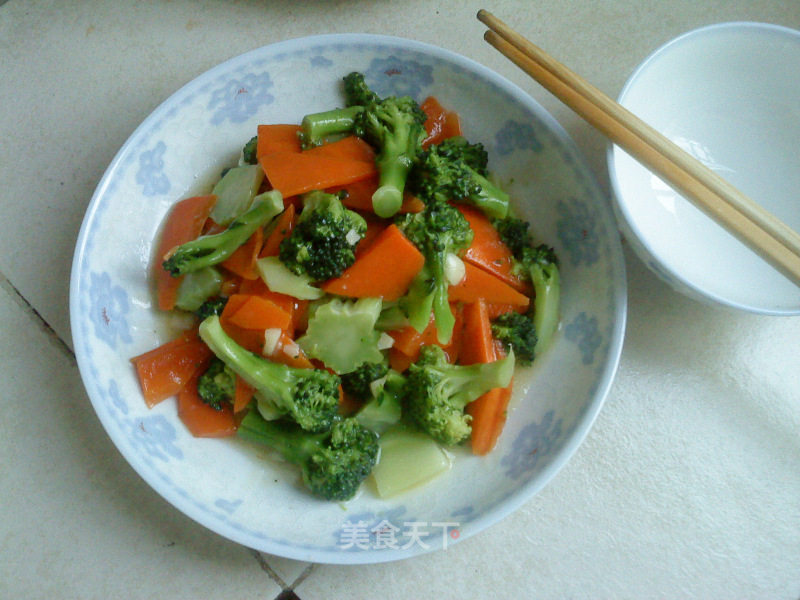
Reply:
x=728 y=94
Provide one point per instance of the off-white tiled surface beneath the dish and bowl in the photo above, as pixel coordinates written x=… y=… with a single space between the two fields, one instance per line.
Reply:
x=687 y=485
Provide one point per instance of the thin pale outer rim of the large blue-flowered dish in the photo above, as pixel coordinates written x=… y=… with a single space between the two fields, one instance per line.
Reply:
x=618 y=285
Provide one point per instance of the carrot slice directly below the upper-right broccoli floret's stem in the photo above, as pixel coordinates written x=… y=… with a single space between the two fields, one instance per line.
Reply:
x=488 y=251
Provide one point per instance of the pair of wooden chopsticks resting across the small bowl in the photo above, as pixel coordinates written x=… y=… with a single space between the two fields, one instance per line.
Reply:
x=760 y=230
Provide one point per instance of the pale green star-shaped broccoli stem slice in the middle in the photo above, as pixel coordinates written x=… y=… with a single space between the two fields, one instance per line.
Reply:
x=341 y=333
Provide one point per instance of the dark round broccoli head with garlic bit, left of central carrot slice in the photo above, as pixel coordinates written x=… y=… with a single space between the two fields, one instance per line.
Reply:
x=323 y=241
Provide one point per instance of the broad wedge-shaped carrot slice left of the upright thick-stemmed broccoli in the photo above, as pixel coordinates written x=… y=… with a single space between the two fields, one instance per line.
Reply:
x=294 y=173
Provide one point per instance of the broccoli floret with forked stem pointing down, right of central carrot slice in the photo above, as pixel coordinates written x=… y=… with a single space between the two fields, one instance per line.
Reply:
x=438 y=231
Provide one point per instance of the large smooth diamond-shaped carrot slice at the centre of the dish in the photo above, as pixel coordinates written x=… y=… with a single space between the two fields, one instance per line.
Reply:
x=384 y=270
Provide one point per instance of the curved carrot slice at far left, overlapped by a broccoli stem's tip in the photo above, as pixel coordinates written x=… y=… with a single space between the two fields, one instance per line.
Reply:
x=184 y=223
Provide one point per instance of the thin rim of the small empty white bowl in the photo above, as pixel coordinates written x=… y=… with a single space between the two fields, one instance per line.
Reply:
x=621 y=207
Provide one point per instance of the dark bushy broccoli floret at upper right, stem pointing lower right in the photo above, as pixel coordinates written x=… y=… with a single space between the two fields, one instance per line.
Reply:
x=445 y=172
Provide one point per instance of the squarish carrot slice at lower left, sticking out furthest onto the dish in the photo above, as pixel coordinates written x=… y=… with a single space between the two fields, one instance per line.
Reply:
x=165 y=370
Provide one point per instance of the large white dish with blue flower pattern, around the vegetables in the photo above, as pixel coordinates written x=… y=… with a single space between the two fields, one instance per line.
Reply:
x=228 y=486
